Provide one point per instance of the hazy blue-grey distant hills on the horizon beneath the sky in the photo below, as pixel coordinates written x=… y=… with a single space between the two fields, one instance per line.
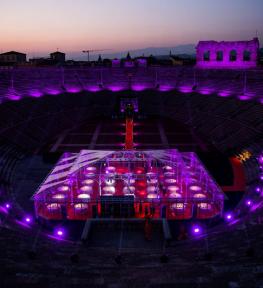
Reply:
x=188 y=49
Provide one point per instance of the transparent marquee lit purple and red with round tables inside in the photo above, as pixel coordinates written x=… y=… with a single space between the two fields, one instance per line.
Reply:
x=129 y=184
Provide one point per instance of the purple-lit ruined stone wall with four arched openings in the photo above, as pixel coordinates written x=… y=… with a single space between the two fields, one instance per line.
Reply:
x=227 y=54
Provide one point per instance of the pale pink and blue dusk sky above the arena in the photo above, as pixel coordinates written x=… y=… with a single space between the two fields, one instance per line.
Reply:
x=38 y=26
